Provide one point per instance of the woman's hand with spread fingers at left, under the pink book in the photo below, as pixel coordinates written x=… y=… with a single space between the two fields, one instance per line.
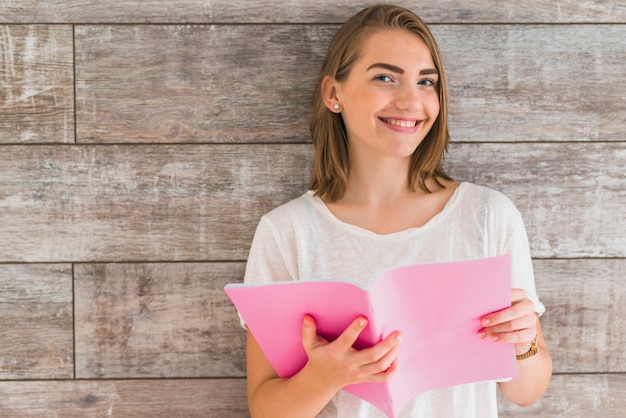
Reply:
x=338 y=364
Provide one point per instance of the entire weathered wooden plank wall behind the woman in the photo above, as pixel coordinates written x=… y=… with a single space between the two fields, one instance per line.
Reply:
x=140 y=142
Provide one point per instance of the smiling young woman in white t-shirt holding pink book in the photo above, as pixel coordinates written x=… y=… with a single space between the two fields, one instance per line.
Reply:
x=379 y=198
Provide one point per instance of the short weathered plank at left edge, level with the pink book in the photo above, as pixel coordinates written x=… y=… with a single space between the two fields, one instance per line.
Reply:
x=36 y=321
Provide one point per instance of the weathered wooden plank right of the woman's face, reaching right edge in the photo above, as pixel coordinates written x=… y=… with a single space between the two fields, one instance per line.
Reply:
x=566 y=89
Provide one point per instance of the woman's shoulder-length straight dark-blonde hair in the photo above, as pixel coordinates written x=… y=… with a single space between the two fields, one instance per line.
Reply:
x=328 y=132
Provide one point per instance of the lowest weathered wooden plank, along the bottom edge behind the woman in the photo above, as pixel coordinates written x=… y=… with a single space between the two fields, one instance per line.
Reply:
x=567 y=396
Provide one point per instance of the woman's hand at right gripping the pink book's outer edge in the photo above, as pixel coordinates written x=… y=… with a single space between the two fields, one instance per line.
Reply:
x=516 y=324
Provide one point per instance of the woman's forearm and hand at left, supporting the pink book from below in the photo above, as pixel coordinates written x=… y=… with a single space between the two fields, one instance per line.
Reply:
x=330 y=367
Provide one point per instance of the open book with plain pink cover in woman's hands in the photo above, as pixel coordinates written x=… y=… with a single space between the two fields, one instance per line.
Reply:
x=436 y=306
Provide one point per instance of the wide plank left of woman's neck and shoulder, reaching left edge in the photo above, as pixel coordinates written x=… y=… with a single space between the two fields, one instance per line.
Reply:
x=141 y=203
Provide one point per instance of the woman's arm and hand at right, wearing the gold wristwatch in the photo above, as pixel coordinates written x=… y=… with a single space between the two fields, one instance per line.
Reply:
x=519 y=324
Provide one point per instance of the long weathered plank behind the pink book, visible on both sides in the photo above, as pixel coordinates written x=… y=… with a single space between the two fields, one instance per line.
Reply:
x=174 y=320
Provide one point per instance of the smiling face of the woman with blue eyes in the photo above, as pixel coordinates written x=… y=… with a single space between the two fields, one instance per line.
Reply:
x=389 y=101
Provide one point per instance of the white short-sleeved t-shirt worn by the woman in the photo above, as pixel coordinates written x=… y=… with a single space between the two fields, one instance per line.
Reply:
x=303 y=240
